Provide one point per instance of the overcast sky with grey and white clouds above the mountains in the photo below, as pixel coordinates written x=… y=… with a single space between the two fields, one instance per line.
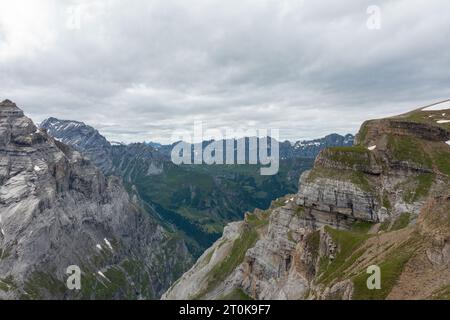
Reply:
x=137 y=70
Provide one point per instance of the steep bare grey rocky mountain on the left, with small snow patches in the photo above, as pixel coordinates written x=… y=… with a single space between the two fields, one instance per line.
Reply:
x=58 y=210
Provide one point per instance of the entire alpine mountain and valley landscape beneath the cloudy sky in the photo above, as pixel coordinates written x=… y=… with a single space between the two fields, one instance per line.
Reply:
x=135 y=223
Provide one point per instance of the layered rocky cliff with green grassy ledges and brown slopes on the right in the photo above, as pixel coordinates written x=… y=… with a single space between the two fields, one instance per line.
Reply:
x=384 y=201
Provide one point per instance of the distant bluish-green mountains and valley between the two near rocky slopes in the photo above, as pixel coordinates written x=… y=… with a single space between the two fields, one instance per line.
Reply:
x=194 y=200
